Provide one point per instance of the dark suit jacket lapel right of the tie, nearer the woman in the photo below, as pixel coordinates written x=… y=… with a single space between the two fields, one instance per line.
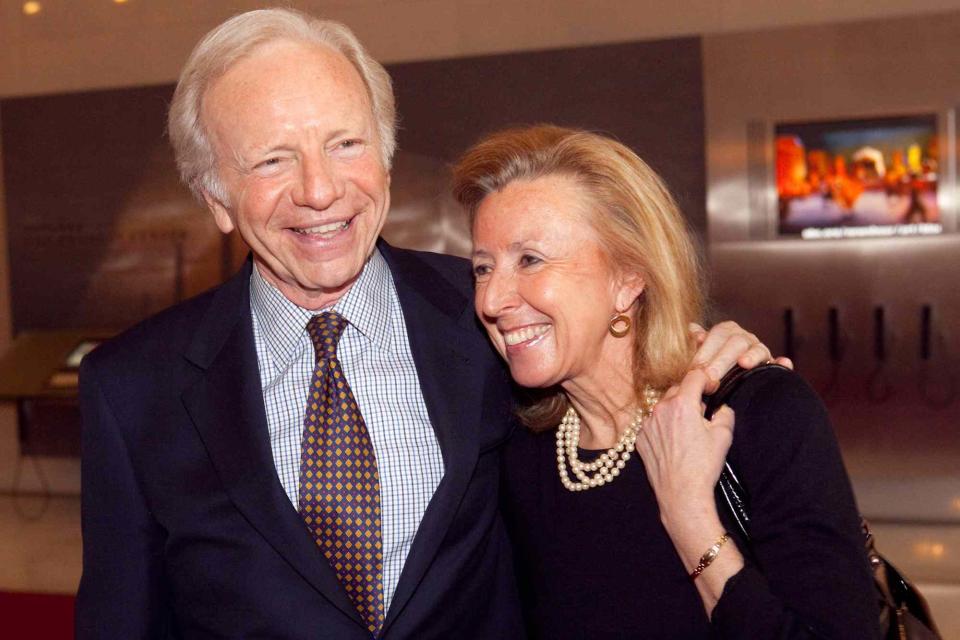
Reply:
x=452 y=389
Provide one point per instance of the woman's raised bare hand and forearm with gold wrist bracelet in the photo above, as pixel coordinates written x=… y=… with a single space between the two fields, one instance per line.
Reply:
x=683 y=454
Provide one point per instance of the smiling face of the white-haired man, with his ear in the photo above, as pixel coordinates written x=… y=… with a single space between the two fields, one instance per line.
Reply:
x=299 y=158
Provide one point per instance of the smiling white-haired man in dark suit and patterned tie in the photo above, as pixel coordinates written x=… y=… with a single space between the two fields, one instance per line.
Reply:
x=257 y=466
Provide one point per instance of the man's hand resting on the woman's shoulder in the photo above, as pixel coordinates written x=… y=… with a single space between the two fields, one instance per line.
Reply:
x=725 y=345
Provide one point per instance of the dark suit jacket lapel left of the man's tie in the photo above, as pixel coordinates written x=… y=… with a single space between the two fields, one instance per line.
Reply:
x=226 y=405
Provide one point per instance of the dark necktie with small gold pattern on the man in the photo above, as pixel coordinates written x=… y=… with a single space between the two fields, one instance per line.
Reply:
x=339 y=496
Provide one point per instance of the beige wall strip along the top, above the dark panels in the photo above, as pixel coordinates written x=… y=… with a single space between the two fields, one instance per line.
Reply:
x=84 y=44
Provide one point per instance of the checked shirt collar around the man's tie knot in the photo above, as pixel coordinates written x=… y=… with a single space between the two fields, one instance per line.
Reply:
x=366 y=305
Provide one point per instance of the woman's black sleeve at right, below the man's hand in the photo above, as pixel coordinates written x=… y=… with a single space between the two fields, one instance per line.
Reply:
x=806 y=573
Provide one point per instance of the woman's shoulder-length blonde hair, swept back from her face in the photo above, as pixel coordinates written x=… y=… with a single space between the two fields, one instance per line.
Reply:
x=640 y=229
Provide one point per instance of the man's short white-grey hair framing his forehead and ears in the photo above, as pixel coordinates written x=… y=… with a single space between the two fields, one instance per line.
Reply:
x=238 y=38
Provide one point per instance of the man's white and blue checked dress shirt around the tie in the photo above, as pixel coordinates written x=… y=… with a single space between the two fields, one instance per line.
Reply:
x=376 y=358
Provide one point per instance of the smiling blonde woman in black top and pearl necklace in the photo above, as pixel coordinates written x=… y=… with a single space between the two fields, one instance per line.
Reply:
x=586 y=280
